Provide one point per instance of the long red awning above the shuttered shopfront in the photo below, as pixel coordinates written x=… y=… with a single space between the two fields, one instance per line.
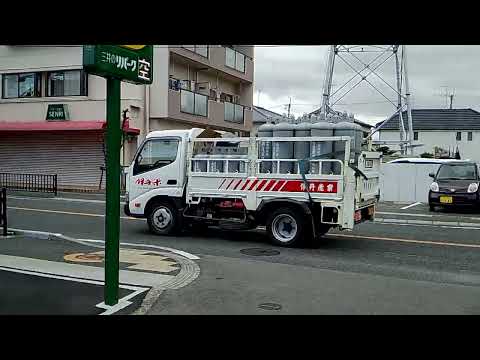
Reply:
x=62 y=126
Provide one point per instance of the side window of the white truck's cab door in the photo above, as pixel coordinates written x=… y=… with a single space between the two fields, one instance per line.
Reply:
x=156 y=154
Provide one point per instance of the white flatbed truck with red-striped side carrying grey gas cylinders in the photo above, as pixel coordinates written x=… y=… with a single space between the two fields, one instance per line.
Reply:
x=174 y=181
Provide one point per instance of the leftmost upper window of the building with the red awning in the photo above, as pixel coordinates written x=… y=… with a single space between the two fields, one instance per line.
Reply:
x=21 y=85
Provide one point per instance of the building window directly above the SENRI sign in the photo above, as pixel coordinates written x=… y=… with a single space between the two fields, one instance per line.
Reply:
x=67 y=83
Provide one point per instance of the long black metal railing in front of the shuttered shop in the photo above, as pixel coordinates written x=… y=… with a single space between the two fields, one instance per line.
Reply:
x=29 y=182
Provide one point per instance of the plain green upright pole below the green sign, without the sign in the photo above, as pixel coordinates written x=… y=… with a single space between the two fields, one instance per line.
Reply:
x=112 y=216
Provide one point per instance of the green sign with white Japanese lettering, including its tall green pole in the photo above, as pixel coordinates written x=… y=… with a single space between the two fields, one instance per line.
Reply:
x=116 y=63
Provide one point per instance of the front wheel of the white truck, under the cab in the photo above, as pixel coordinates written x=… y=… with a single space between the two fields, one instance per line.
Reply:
x=163 y=219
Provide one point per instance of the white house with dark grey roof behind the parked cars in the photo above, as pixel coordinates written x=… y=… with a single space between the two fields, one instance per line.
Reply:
x=435 y=129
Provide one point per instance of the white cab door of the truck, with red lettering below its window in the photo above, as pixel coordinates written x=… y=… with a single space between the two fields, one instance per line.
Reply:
x=159 y=166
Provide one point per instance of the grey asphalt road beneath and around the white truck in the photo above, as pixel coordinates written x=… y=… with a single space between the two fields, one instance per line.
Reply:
x=430 y=266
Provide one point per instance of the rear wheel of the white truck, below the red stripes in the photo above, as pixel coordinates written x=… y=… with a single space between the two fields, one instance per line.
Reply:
x=287 y=227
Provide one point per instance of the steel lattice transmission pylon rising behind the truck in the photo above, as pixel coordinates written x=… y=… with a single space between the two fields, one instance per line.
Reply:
x=357 y=54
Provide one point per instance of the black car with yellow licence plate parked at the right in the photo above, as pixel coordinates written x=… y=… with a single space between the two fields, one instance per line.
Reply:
x=455 y=184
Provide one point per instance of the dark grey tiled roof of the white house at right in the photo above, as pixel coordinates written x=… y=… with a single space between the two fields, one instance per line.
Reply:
x=437 y=119
